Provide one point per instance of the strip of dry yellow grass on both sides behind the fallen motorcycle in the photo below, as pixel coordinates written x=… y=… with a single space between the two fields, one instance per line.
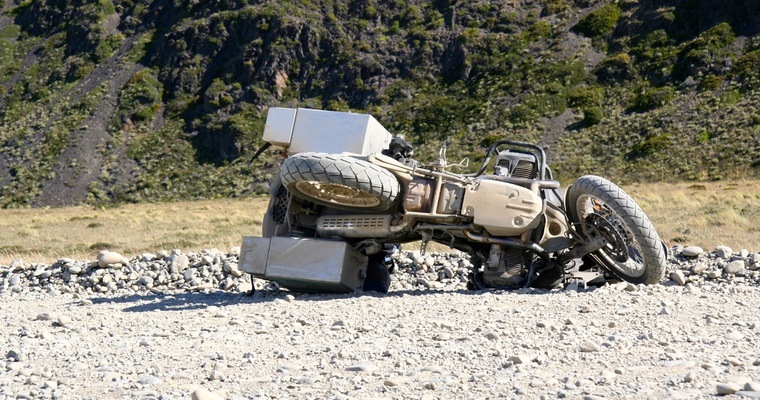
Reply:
x=703 y=214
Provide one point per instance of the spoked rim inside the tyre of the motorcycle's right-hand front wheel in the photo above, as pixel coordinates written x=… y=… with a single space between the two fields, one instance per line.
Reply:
x=623 y=252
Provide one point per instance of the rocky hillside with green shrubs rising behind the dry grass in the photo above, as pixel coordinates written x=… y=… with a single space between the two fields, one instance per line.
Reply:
x=119 y=100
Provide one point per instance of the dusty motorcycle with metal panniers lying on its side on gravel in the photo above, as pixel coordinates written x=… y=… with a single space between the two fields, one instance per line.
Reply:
x=348 y=194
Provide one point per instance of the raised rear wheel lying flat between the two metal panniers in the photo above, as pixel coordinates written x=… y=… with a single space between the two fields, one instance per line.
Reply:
x=339 y=181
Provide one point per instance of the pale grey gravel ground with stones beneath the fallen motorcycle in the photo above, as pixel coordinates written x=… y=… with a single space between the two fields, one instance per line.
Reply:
x=697 y=335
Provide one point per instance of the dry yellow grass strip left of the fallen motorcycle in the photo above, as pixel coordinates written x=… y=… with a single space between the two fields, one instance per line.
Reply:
x=44 y=235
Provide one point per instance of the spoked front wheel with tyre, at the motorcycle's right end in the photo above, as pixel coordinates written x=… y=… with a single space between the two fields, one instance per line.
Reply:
x=634 y=251
